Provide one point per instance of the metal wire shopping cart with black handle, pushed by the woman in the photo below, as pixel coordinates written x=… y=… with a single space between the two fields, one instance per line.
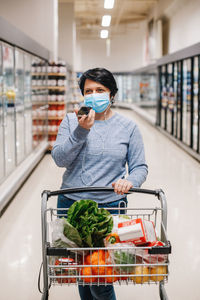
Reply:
x=131 y=265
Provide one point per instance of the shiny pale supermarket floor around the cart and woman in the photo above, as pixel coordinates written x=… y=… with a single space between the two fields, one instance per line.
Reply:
x=170 y=168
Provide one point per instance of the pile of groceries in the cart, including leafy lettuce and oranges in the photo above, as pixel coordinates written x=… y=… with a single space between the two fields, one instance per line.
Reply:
x=121 y=246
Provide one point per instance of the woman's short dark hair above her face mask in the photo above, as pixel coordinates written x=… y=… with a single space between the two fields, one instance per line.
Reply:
x=102 y=76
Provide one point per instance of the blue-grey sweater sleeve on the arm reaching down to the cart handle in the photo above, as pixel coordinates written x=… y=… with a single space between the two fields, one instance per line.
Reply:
x=137 y=167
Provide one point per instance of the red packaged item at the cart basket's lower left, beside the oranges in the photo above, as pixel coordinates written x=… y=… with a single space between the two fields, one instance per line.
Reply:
x=68 y=268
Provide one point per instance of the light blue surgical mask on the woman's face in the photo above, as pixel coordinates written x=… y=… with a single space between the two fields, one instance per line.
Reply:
x=98 y=101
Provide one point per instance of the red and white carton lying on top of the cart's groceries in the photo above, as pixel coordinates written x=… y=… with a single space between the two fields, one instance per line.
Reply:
x=139 y=231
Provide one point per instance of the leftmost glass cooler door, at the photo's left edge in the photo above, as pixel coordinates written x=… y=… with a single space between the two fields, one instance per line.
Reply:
x=8 y=111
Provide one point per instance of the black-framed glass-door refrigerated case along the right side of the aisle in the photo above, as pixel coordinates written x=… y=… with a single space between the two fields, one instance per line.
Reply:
x=179 y=101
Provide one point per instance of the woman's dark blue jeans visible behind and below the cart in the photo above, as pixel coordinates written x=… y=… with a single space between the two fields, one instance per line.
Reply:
x=94 y=292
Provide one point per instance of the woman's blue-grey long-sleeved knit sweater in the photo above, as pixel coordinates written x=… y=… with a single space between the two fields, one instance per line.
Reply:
x=98 y=157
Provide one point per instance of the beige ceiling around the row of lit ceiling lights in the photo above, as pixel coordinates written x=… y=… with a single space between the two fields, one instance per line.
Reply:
x=125 y=14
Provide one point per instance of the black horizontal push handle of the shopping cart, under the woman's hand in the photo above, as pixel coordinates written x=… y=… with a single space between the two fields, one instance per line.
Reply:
x=98 y=189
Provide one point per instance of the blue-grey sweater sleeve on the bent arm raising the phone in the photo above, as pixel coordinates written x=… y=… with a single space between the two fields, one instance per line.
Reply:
x=68 y=144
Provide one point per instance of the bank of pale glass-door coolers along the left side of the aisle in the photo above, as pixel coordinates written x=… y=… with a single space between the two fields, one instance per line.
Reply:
x=16 y=93
